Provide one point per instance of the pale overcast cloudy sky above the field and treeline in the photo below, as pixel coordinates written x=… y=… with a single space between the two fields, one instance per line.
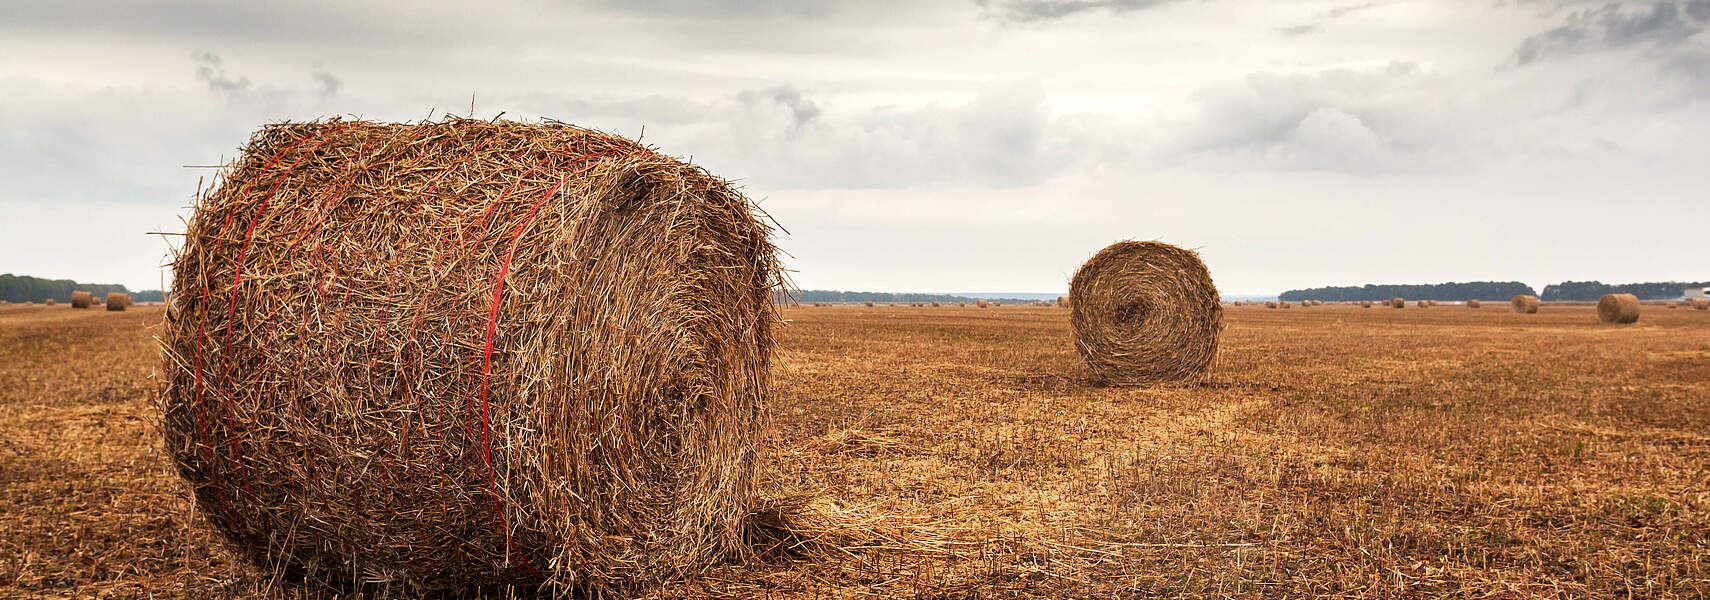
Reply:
x=941 y=146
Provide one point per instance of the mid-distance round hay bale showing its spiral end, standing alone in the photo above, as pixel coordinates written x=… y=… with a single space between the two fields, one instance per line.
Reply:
x=1145 y=312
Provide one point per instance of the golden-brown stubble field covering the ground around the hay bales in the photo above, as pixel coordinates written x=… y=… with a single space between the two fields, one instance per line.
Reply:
x=962 y=454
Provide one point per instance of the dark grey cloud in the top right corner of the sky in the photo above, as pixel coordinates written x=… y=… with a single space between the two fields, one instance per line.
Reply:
x=1617 y=26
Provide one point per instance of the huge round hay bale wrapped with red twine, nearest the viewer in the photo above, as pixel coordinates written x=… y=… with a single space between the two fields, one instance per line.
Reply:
x=471 y=355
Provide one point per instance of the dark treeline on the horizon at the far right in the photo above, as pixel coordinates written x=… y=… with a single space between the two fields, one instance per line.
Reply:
x=1490 y=291
